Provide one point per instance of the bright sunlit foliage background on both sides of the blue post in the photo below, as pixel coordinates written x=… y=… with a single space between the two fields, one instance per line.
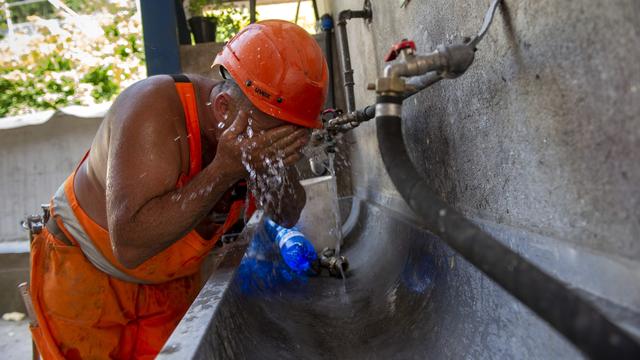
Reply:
x=55 y=54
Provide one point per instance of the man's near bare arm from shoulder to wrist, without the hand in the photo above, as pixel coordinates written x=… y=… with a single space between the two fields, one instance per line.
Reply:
x=145 y=211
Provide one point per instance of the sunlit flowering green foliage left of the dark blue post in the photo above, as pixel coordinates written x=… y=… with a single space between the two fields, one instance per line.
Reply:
x=56 y=67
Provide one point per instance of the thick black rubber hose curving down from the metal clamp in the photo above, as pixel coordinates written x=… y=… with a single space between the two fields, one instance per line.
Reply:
x=579 y=321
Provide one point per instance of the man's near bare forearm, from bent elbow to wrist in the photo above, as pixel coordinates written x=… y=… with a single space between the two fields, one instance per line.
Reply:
x=165 y=219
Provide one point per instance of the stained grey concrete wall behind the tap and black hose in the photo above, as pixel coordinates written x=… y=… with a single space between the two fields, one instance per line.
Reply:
x=538 y=143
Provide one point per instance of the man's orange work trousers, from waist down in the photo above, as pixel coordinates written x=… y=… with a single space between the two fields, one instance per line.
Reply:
x=85 y=313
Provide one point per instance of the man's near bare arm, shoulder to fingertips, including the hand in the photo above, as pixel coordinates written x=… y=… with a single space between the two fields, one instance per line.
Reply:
x=146 y=213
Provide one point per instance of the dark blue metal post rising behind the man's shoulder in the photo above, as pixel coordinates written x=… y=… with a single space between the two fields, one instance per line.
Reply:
x=160 y=34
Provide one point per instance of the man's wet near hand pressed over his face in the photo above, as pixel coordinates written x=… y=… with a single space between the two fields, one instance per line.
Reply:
x=240 y=149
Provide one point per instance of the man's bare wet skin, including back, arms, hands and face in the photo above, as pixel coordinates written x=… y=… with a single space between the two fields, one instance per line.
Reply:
x=128 y=182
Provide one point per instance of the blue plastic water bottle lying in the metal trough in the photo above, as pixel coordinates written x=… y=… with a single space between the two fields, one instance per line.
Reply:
x=297 y=252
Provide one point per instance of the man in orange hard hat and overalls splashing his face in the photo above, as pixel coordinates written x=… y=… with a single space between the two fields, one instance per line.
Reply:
x=119 y=262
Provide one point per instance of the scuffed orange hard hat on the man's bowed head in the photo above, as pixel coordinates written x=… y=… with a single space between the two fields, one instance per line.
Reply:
x=280 y=68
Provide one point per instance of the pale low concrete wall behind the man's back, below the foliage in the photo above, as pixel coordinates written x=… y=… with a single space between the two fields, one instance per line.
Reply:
x=34 y=161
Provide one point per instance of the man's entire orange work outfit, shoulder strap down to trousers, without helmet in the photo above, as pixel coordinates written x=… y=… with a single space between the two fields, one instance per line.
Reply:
x=83 y=312
